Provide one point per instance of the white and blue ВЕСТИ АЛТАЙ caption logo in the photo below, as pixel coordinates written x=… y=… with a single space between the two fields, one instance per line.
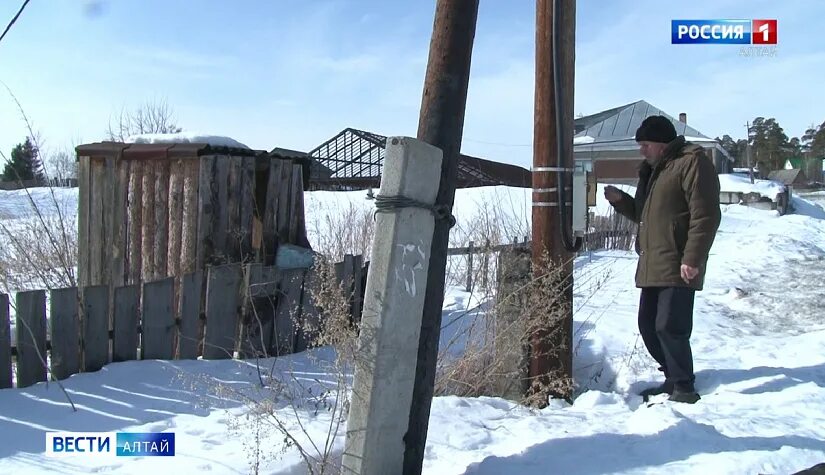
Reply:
x=110 y=444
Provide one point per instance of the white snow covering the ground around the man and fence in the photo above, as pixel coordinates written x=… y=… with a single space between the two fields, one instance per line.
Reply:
x=759 y=348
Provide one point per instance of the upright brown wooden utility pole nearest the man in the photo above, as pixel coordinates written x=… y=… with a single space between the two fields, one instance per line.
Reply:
x=551 y=349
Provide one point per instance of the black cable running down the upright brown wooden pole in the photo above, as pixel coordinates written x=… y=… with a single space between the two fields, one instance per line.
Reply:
x=570 y=244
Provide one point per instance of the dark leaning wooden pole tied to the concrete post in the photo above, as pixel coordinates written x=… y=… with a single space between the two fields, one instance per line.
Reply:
x=441 y=123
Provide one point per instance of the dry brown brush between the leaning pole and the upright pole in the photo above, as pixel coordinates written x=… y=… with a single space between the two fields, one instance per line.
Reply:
x=528 y=311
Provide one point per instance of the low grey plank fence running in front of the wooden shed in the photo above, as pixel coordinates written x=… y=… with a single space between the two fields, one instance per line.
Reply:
x=233 y=310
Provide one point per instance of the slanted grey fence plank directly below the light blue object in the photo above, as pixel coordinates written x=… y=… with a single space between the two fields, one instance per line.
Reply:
x=288 y=312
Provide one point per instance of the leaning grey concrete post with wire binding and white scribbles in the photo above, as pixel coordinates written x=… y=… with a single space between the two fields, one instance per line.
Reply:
x=391 y=320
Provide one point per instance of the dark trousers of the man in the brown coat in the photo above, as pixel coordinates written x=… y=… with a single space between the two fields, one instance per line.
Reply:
x=665 y=323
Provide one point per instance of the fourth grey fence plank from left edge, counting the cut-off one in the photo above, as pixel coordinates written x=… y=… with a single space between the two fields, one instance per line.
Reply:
x=95 y=327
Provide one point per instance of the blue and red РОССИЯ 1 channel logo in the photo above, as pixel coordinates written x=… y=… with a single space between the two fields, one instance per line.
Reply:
x=732 y=32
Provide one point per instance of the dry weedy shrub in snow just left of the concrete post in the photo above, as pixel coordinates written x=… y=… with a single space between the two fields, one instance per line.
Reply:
x=283 y=411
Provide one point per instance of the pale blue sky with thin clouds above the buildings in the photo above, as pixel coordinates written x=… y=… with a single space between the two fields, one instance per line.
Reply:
x=293 y=73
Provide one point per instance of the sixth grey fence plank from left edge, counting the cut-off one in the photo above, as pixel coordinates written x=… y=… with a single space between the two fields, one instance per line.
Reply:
x=158 y=321
